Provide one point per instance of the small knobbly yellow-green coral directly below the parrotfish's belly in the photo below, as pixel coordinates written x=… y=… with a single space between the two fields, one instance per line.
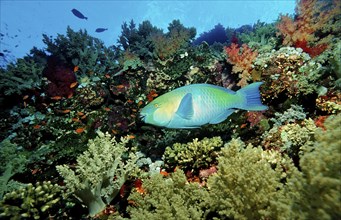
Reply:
x=195 y=154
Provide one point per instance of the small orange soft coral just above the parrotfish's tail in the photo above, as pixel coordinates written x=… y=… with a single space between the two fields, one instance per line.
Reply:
x=242 y=59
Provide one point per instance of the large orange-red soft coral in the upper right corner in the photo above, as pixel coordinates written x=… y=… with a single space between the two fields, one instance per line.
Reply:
x=314 y=22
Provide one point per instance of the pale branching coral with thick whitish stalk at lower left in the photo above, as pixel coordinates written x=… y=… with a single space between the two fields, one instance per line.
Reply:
x=100 y=173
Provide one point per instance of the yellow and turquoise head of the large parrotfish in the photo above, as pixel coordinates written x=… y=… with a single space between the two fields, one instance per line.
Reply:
x=159 y=112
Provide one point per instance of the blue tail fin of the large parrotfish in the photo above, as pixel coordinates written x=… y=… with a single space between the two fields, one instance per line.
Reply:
x=253 y=98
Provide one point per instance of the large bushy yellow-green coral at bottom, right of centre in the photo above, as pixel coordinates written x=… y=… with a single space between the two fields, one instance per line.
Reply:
x=253 y=184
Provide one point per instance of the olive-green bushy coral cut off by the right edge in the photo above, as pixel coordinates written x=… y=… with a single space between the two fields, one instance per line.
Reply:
x=321 y=168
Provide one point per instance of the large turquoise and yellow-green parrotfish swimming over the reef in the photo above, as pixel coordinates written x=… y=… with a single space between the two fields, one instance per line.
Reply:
x=192 y=106
